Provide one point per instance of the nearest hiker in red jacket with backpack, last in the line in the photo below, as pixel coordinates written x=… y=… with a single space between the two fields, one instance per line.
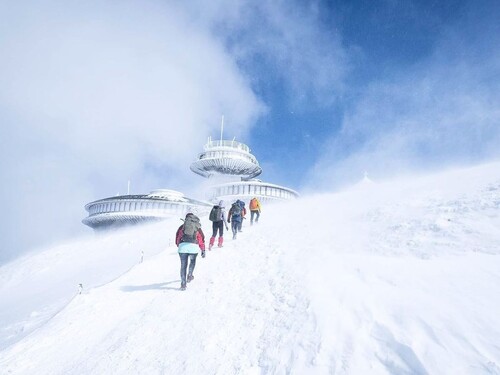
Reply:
x=189 y=239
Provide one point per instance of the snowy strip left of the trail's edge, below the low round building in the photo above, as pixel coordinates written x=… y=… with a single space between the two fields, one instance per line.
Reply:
x=37 y=286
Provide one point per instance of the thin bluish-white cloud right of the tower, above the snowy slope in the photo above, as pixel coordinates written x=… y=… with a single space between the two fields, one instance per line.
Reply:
x=437 y=113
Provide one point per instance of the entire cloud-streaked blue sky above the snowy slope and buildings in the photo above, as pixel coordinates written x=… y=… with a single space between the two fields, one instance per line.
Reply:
x=93 y=94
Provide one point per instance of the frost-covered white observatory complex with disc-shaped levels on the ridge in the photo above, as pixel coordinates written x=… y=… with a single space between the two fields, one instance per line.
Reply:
x=230 y=169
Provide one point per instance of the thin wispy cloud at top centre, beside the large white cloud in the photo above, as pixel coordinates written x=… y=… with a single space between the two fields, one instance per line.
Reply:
x=290 y=39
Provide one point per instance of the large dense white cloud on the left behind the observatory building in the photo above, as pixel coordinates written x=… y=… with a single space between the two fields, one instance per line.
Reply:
x=95 y=93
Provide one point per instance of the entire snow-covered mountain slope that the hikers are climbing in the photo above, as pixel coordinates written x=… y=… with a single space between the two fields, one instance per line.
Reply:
x=399 y=277
